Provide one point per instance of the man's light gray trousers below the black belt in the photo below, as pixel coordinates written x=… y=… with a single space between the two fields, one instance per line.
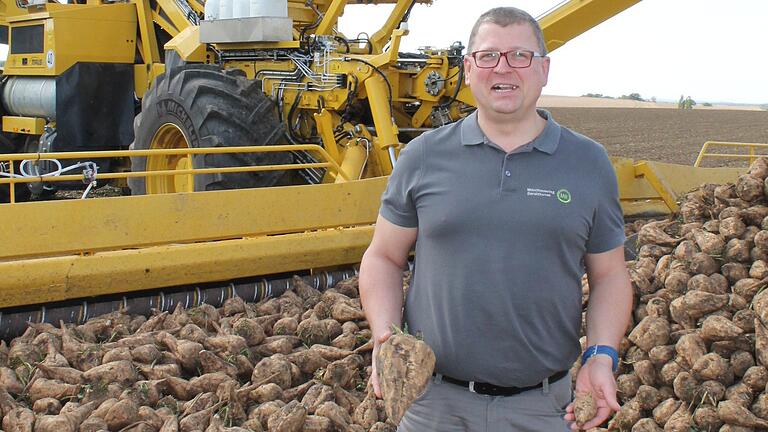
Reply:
x=446 y=407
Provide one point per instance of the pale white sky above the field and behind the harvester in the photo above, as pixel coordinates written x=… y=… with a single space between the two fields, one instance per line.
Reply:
x=711 y=50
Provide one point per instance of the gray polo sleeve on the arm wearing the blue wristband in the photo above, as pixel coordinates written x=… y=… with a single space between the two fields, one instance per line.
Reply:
x=608 y=224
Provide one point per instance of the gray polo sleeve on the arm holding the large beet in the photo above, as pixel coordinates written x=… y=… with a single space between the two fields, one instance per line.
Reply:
x=398 y=203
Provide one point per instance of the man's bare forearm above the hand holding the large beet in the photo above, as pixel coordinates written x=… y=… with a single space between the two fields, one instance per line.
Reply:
x=381 y=293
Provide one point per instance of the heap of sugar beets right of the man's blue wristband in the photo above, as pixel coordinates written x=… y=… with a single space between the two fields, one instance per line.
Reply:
x=695 y=356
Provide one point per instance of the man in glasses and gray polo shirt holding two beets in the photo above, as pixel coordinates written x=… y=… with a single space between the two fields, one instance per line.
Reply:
x=508 y=208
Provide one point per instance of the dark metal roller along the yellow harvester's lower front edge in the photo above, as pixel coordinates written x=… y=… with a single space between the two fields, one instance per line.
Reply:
x=13 y=321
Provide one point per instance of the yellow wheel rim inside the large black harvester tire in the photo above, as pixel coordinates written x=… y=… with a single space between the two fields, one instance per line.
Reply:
x=169 y=136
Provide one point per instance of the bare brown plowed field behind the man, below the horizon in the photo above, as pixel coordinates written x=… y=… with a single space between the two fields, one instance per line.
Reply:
x=665 y=135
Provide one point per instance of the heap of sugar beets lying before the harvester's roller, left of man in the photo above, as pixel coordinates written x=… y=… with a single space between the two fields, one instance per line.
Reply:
x=299 y=362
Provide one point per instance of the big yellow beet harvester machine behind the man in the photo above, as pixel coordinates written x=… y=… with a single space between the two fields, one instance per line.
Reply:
x=254 y=147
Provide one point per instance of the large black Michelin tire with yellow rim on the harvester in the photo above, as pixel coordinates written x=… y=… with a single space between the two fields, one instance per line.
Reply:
x=202 y=106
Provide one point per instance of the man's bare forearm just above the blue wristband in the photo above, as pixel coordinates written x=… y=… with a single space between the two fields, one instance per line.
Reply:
x=609 y=310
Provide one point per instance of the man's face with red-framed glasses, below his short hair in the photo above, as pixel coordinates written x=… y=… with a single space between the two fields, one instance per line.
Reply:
x=504 y=90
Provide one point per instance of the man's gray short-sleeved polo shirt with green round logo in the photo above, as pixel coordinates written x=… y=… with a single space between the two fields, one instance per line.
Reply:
x=496 y=288
